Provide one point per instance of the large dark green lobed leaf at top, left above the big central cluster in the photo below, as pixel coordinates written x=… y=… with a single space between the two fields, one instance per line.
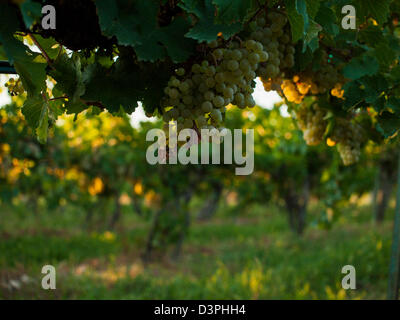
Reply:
x=135 y=24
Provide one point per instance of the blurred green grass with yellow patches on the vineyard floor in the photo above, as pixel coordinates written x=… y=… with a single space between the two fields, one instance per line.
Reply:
x=249 y=257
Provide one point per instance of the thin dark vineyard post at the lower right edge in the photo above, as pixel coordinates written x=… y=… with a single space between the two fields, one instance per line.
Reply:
x=394 y=269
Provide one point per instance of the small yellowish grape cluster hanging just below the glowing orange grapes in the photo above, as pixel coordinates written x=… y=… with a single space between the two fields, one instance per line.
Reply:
x=311 y=121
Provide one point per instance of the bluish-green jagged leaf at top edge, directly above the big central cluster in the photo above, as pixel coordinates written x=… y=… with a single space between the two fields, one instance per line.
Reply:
x=206 y=29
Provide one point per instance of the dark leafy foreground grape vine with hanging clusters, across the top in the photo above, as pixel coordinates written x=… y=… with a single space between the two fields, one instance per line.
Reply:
x=189 y=61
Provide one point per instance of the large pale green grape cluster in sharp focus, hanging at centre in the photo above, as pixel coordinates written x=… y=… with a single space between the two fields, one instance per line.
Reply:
x=201 y=95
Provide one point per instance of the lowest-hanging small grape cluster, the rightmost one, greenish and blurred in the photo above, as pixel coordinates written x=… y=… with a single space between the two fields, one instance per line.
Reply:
x=349 y=137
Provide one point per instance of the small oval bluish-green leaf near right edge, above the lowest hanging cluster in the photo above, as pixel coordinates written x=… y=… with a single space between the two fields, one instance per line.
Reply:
x=361 y=66
